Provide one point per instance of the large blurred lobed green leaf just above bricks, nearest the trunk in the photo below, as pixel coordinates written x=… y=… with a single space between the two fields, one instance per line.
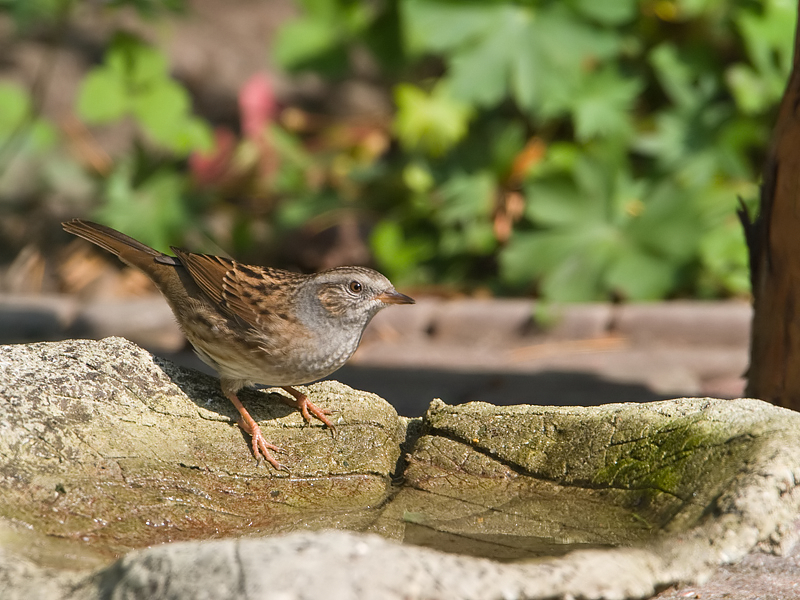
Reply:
x=604 y=233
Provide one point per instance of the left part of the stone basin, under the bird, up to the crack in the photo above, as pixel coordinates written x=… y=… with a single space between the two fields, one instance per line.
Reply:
x=107 y=445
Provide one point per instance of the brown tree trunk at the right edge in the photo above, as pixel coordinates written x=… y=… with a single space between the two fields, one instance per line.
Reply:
x=773 y=240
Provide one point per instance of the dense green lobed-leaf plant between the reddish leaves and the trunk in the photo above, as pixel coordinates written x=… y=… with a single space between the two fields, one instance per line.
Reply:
x=572 y=148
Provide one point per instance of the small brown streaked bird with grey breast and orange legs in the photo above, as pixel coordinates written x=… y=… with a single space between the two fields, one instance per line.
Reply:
x=257 y=324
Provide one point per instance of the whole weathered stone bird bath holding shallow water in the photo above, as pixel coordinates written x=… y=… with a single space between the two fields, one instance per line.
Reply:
x=104 y=450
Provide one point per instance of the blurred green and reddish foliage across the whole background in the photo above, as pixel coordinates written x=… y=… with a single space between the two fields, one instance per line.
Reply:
x=576 y=149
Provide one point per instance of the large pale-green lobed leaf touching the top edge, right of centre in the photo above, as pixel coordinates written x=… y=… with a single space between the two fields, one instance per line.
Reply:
x=536 y=55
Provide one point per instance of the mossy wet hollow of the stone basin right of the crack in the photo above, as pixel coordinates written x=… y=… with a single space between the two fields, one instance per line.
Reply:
x=612 y=474
